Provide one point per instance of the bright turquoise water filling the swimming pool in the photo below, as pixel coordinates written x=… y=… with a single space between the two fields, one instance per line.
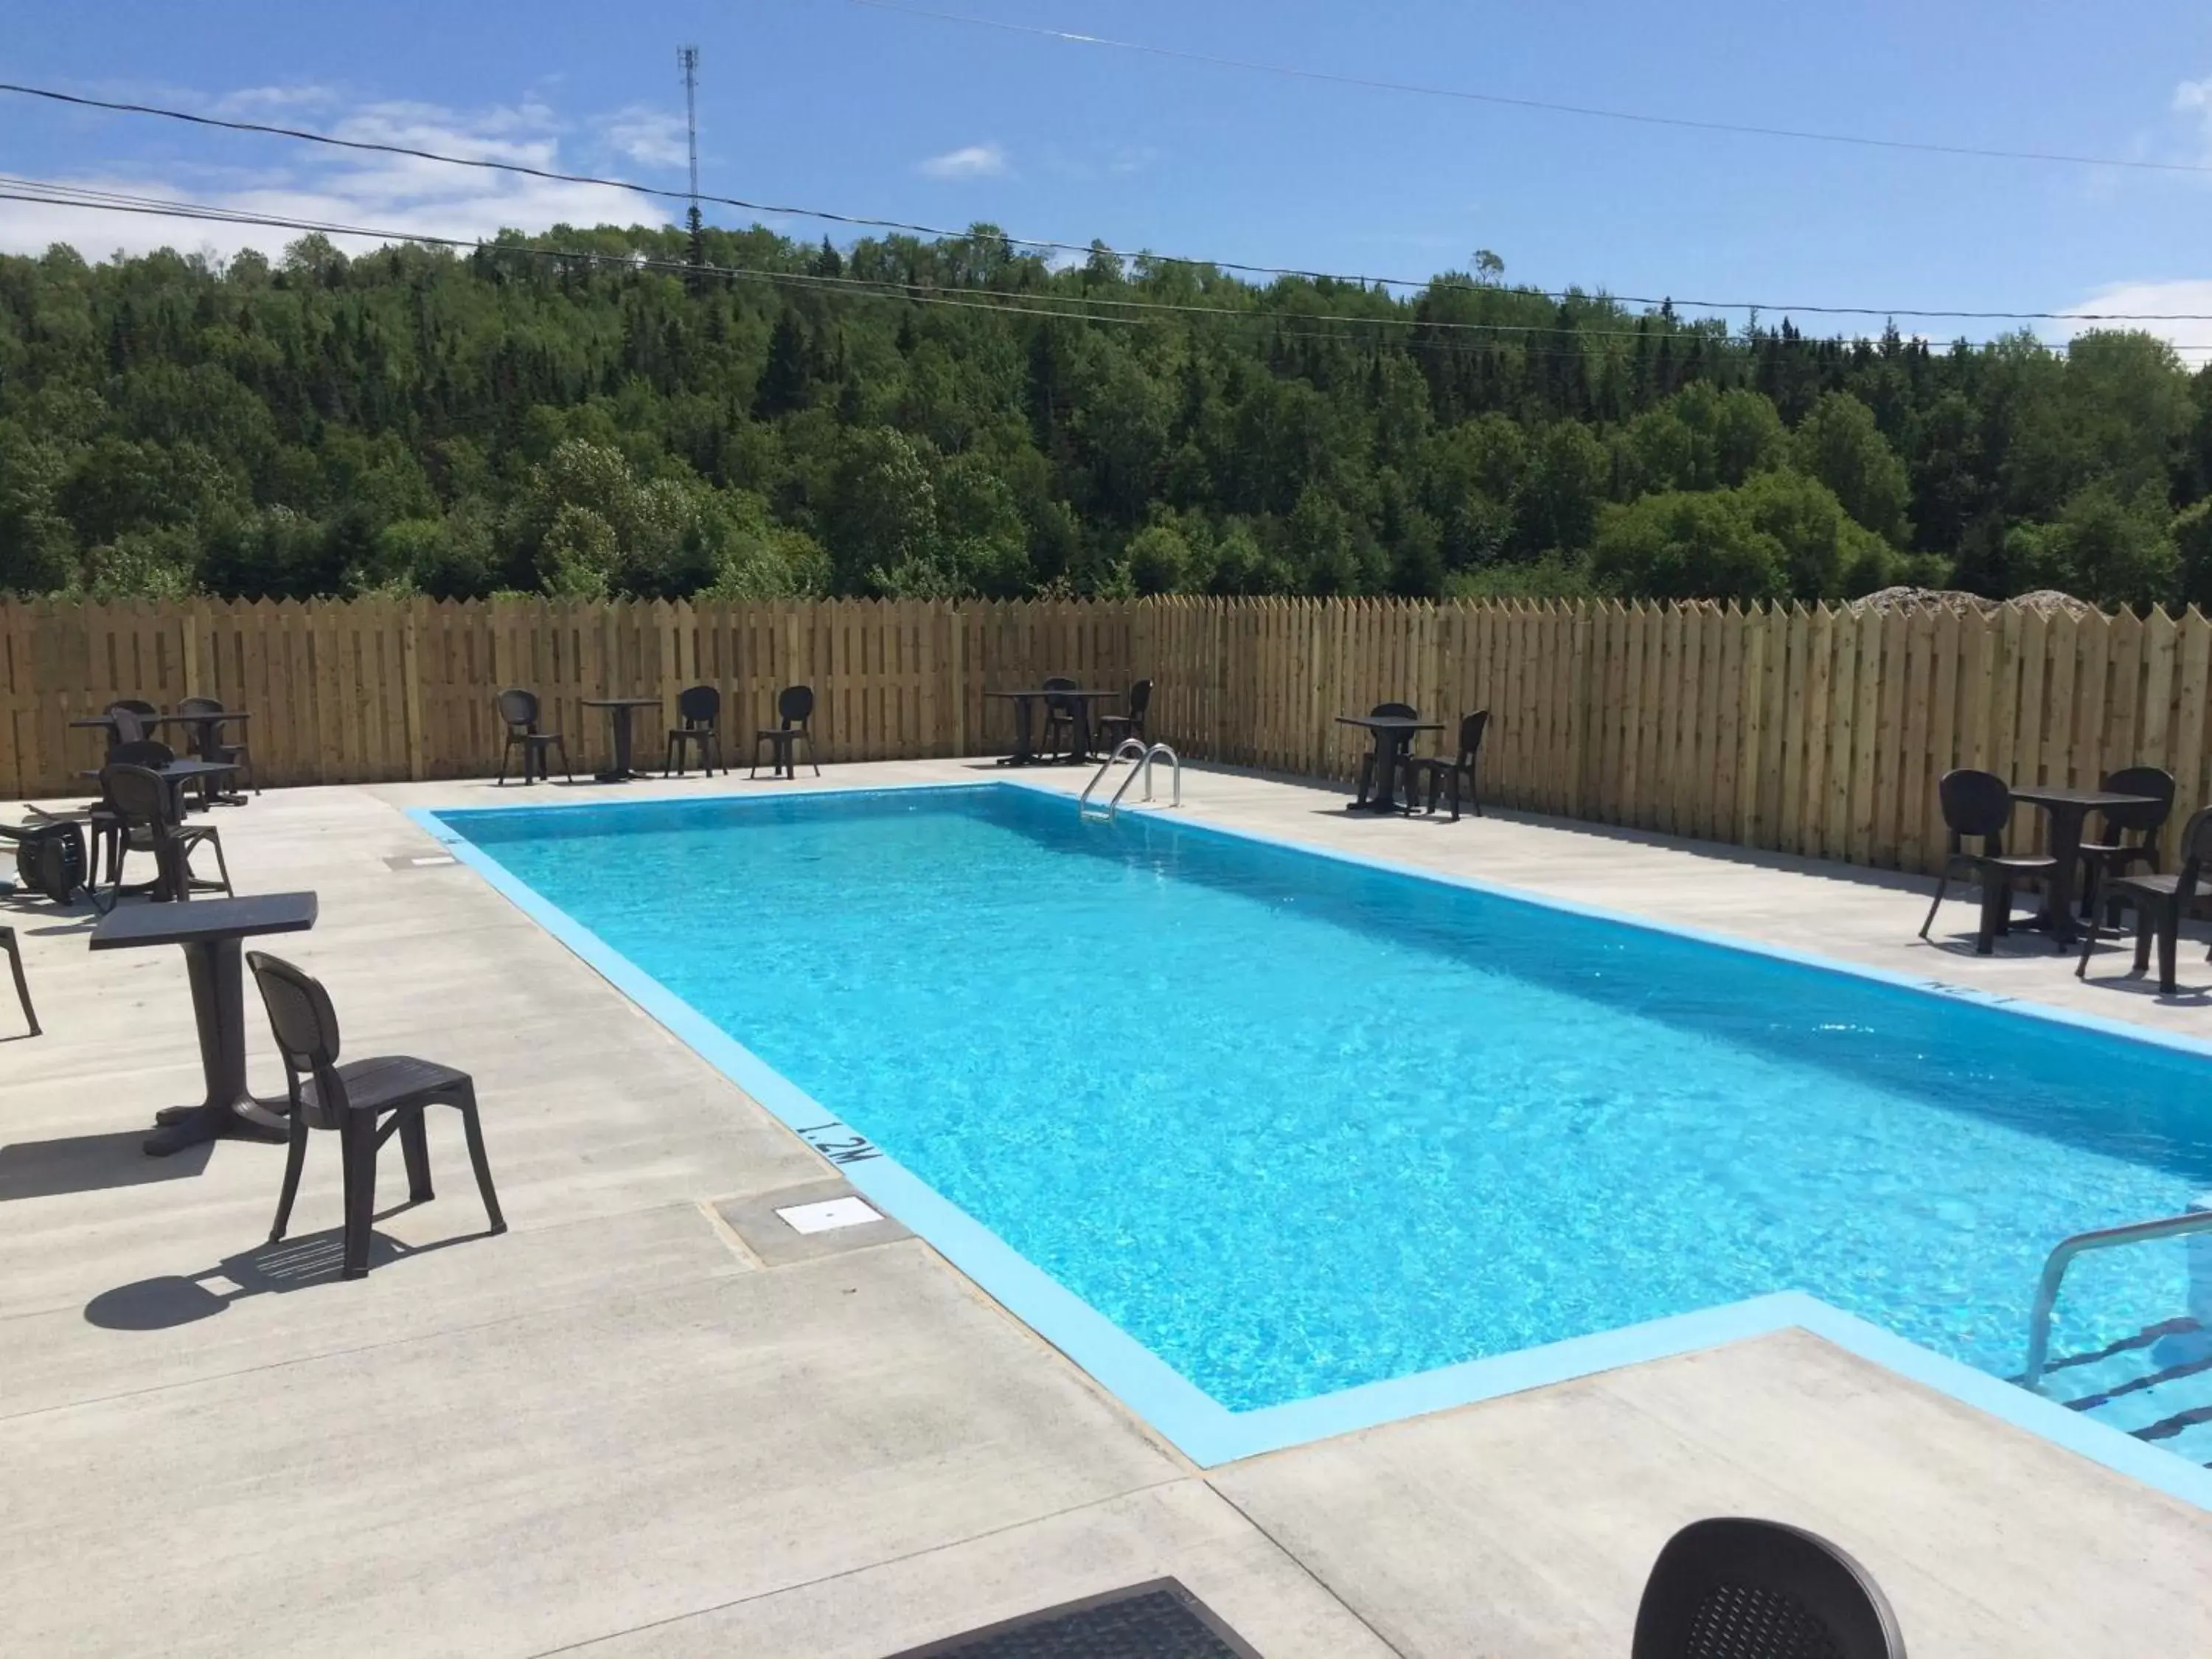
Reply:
x=1300 y=1125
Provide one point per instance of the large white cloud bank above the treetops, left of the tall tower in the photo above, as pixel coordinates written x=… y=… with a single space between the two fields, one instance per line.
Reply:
x=393 y=194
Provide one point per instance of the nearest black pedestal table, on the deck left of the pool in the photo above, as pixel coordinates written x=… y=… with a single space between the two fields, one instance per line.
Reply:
x=209 y=935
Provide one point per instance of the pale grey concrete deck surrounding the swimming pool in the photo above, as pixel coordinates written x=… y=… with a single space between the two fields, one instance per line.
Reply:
x=629 y=1430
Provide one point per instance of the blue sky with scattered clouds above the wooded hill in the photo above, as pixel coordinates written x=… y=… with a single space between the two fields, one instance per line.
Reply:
x=828 y=105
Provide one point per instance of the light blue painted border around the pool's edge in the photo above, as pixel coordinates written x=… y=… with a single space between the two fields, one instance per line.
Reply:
x=1198 y=1426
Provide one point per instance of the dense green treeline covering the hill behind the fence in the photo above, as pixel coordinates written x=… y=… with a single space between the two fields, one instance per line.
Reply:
x=917 y=419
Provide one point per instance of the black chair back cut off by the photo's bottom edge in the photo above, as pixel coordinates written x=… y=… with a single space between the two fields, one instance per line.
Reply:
x=1751 y=1589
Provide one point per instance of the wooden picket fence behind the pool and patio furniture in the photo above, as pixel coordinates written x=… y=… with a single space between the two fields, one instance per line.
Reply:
x=1797 y=729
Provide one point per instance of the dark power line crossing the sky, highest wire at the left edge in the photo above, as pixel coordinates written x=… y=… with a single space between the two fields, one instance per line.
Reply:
x=862 y=222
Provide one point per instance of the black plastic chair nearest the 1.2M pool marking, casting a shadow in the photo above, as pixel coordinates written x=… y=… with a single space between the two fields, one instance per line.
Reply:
x=353 y=1100
